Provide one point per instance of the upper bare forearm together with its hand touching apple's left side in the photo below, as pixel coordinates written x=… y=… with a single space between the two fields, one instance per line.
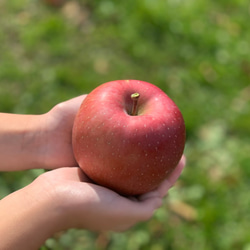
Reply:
x=38 y=141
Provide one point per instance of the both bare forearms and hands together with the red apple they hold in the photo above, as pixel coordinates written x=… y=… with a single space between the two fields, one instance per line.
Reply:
x=128 y=139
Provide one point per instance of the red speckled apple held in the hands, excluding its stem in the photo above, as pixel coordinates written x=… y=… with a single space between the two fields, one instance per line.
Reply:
x=129 y=154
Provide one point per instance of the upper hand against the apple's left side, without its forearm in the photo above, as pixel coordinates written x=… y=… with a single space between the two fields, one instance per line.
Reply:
x=58 y=123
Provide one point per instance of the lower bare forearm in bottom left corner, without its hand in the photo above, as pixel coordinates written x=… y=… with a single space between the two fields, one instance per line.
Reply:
x=26 y=220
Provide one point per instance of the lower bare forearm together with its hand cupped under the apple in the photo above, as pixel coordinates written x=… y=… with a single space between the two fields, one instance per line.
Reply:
x=65 y=198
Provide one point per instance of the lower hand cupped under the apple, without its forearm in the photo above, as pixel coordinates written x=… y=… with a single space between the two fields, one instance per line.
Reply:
x=84 y=204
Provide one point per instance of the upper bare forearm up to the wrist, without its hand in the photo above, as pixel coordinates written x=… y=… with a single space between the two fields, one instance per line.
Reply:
x=20 y=141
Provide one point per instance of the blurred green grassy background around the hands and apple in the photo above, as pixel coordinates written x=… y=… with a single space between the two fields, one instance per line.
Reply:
x=197 y=51
